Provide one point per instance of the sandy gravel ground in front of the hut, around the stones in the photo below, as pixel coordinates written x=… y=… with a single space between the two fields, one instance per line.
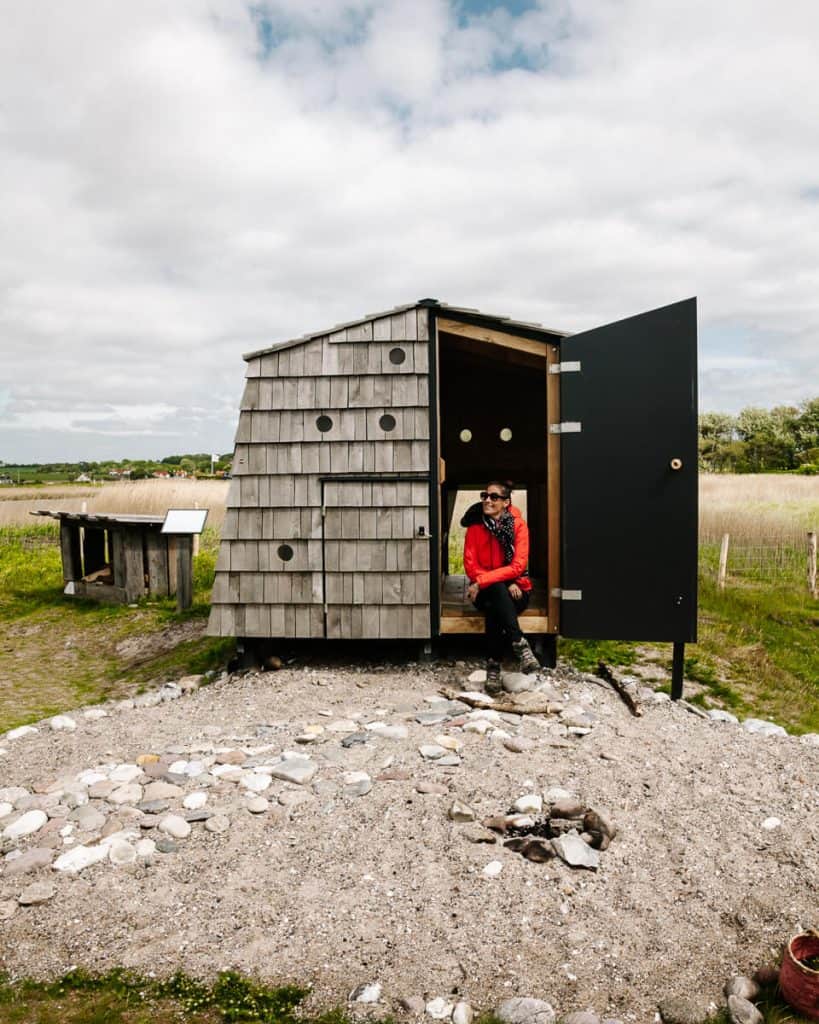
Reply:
x=334 y=890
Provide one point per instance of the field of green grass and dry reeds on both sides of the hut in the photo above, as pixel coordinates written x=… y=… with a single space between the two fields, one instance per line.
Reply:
x=759 y=638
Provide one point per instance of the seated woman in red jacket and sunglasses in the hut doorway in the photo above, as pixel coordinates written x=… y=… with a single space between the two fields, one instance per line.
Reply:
x=496 y=556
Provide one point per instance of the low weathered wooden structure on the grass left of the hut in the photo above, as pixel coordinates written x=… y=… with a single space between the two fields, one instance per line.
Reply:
x=119 y=559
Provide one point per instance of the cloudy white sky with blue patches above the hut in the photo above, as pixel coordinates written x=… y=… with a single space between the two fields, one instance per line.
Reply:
x=182 y=183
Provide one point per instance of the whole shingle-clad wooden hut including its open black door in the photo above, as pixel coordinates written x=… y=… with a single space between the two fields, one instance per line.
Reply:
x=354 y=443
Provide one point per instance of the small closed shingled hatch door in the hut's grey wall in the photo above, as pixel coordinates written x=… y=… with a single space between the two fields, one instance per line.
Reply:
x=377 y=559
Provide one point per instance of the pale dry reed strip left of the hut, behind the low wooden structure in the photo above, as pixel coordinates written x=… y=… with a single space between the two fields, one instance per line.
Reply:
x=136 y=497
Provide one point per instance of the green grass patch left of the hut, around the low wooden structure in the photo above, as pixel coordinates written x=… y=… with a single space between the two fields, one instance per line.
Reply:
x=58 y=653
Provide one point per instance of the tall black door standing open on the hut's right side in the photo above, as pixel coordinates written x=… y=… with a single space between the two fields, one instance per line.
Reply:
x=629 y=479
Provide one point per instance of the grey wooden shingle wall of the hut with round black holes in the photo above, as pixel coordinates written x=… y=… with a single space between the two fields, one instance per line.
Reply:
x=366 y=551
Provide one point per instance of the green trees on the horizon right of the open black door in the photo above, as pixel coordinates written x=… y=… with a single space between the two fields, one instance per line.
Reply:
x=762 y=441
